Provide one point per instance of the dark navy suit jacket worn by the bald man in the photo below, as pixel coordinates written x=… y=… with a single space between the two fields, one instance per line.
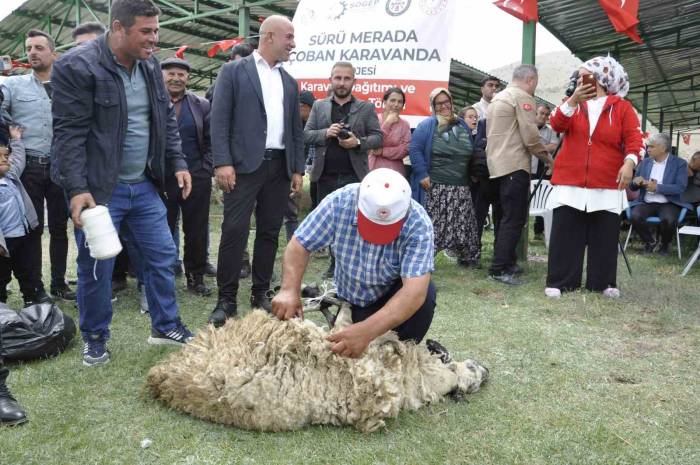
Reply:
x=239 y=120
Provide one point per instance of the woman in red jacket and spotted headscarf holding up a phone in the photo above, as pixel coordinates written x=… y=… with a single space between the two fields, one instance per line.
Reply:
x=601 y=147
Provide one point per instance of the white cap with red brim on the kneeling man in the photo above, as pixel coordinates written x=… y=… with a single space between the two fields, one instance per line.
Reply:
x=382 y=204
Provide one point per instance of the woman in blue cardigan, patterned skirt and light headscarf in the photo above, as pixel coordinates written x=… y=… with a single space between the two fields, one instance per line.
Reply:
x=440 y=150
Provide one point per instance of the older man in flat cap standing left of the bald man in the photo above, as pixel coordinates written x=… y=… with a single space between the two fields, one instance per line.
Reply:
x=192 y=113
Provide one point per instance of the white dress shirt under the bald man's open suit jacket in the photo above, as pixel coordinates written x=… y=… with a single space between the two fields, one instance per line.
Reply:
x=273 y=97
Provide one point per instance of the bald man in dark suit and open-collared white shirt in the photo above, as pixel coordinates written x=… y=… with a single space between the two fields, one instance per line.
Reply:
x=258 y=149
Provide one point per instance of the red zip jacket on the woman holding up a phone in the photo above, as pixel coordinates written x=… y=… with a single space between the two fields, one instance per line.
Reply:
x=594 y=161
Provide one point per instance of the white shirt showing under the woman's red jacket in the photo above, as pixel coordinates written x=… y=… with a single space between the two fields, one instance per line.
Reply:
x=583 y=198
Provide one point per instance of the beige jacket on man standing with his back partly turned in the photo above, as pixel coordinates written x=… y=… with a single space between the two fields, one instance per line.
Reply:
x=512 y=134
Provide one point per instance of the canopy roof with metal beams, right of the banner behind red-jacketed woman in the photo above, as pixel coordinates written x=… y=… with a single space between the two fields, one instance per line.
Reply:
x=664 y=71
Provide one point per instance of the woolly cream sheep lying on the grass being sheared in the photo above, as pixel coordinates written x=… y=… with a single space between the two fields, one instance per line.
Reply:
x=263 y=374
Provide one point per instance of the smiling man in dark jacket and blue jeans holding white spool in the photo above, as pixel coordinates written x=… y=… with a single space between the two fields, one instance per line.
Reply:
x=115 y=141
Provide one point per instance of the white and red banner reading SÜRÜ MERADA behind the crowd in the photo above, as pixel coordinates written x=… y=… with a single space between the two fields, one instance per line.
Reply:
x=390 y=43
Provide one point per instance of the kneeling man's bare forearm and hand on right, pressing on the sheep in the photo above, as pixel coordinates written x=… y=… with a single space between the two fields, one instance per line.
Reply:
x=353 y=340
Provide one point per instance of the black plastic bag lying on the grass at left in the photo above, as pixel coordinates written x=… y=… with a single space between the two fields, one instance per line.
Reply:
x=38 y=331
